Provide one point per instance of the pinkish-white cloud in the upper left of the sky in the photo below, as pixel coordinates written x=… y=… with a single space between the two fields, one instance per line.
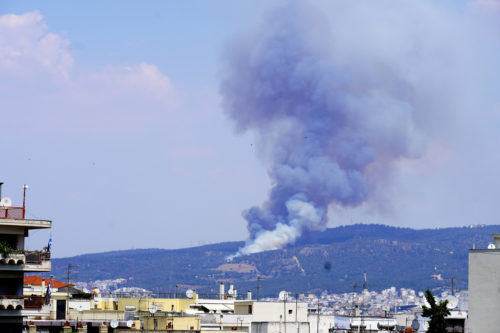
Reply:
x=41 y=81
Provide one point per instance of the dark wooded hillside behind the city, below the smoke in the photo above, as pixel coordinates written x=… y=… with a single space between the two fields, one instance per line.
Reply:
x=332 y=260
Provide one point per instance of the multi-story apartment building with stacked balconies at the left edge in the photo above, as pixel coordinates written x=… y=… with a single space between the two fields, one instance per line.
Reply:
x=15 y=261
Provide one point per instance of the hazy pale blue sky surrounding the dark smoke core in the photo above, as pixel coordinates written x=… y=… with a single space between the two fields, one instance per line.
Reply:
x=116 y=116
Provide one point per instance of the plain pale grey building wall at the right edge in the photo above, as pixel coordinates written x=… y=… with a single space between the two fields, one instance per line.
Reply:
x=484 y=290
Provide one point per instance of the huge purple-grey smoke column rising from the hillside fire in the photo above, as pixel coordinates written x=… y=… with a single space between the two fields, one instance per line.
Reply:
x=331 y=115
